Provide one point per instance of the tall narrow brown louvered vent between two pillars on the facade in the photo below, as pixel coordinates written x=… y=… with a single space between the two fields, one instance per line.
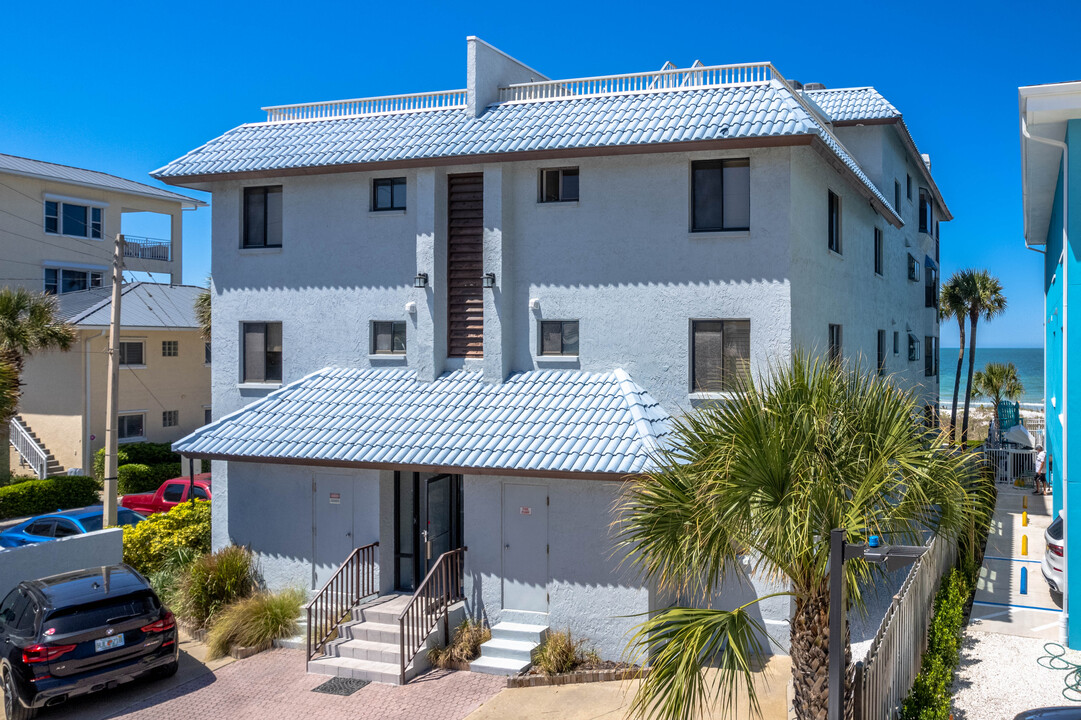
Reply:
x=465 y=265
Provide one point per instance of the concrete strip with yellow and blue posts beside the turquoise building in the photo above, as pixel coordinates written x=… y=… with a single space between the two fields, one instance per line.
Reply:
x=999 y=605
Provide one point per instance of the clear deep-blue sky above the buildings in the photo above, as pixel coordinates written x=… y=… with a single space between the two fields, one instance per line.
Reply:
x=125 y=88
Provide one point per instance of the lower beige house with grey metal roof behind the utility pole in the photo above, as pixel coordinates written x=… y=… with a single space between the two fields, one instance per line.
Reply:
x=165 y=379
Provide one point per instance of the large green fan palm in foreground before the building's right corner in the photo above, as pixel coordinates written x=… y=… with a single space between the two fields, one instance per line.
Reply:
x=765 y=478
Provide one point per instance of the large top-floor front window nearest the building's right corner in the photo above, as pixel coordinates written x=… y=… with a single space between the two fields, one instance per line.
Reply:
x=720 y=195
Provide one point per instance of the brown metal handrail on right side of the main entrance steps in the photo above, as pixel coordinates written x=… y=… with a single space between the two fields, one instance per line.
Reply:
x=442 y=588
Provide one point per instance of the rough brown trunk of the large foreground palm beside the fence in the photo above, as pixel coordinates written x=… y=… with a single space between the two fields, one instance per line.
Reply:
x=810 y=651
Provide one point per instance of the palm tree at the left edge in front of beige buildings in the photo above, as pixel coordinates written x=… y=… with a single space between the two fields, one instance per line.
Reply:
x=29 y=323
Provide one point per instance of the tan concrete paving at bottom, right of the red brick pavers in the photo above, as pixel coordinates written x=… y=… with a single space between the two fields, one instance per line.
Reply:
x=612 y=700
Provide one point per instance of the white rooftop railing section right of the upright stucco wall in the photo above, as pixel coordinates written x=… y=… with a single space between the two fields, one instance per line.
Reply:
x=715 y=76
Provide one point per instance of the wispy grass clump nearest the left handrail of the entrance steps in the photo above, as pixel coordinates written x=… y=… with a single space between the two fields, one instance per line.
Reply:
x=256 y=621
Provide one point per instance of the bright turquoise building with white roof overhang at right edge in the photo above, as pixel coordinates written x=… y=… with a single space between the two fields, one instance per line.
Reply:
x=1051 y=176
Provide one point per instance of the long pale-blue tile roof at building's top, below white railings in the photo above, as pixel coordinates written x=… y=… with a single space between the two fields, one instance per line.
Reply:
x=769 y=110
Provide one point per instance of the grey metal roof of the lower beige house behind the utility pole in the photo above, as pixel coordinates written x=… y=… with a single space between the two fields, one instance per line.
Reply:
x=143 y=305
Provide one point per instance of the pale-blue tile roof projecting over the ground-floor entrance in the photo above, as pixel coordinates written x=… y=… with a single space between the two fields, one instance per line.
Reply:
x=538 y=421
